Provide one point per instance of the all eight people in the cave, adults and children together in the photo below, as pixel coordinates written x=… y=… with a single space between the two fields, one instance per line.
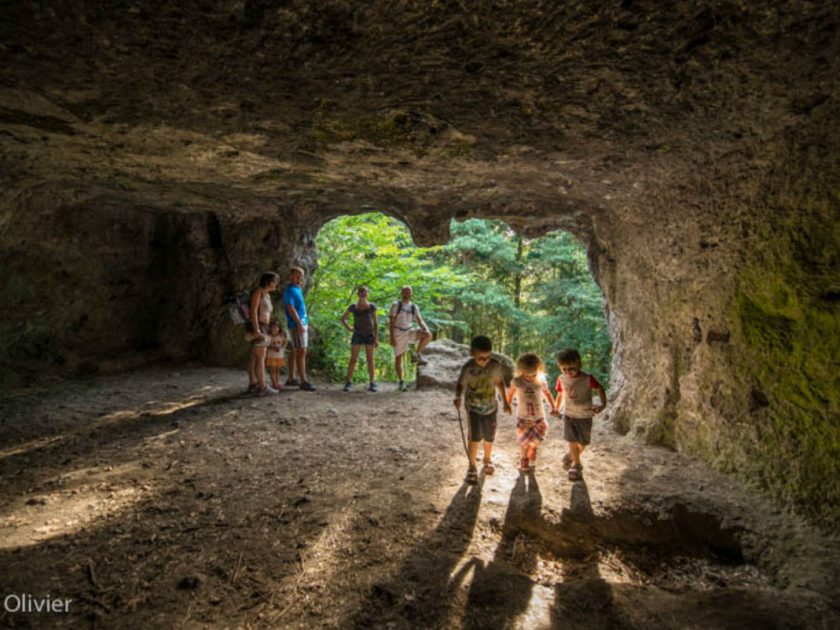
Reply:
x=480 y=380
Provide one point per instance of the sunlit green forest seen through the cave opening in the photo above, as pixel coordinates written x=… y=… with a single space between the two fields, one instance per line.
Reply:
x=527 y=295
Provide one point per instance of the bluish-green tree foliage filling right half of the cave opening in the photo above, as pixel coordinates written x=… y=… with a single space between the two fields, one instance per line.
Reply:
x=526 y=295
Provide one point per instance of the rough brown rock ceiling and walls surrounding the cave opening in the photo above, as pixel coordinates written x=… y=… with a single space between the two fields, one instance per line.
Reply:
x=155 y=156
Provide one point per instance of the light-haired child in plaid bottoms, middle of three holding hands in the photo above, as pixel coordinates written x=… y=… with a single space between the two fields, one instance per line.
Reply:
x=531 y=392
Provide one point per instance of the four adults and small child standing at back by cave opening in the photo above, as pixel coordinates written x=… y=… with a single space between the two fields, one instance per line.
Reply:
x=268 y=341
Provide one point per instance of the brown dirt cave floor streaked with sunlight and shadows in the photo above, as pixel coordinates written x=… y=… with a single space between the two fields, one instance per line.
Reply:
x=166 y=498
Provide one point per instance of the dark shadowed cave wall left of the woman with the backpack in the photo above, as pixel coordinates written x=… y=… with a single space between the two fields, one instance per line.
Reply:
x=98 y=284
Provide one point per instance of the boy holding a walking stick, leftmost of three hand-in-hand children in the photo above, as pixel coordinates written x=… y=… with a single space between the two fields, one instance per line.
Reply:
x=481 y=377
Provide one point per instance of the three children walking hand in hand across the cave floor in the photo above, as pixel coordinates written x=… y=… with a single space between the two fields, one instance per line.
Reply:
x=482 y=378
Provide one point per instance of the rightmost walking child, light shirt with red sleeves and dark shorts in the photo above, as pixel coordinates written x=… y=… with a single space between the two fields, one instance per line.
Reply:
x=574 y=401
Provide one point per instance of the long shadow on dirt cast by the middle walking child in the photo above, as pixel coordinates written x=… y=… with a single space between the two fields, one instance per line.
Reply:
x=500 y=591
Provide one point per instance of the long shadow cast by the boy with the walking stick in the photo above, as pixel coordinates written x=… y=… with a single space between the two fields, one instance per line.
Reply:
x=421 y=591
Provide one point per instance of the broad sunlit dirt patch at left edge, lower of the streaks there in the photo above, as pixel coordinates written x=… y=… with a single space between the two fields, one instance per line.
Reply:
x=33 y=519
